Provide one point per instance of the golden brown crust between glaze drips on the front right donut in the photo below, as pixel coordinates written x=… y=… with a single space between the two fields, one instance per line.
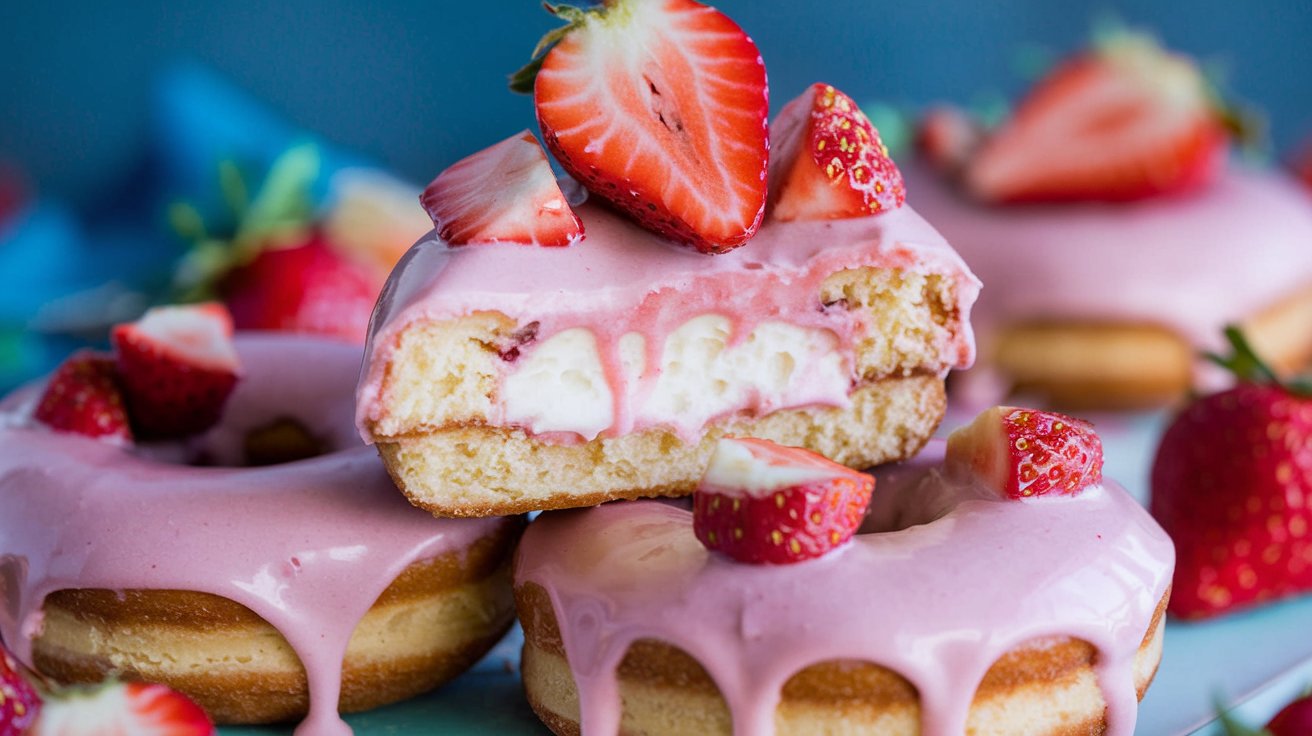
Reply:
x=843 y=687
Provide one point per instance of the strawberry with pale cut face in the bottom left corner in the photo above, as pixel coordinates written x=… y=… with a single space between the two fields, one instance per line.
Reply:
x=136 y=709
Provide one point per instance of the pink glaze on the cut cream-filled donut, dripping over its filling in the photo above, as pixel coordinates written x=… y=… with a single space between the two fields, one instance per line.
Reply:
x=623 y=279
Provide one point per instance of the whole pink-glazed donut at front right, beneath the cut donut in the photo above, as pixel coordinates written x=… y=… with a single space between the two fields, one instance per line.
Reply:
x=949 y=613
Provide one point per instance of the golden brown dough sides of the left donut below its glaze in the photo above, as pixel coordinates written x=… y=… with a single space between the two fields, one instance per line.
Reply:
x=476 y=582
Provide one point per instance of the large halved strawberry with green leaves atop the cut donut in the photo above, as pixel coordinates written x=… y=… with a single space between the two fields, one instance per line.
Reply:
x=661 y=108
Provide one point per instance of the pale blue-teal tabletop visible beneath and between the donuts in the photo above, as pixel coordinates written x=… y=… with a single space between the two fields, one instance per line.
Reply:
x=1248 y=659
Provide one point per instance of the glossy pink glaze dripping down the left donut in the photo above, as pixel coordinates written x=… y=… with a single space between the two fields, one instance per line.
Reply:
x=309 y=546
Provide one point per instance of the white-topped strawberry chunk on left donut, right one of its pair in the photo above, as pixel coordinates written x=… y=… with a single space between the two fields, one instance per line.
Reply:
x=178 y=368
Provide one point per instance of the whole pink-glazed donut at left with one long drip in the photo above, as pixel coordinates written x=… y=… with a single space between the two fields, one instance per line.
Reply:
x=266 y=594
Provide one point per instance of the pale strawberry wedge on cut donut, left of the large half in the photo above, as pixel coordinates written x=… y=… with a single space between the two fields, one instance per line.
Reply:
x=504 y=194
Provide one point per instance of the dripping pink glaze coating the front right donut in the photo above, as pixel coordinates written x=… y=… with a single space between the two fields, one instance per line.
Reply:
x=937 y=603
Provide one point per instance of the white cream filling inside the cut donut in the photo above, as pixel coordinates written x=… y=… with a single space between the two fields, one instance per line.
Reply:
x=562 y=384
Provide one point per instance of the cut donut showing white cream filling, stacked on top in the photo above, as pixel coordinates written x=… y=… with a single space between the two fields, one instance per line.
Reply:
x=502 y=378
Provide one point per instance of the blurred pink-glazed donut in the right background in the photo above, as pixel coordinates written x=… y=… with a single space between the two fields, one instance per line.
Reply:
x=1108 y=306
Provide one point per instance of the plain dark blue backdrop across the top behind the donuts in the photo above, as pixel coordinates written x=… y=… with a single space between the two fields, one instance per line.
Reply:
x=418 y=85
